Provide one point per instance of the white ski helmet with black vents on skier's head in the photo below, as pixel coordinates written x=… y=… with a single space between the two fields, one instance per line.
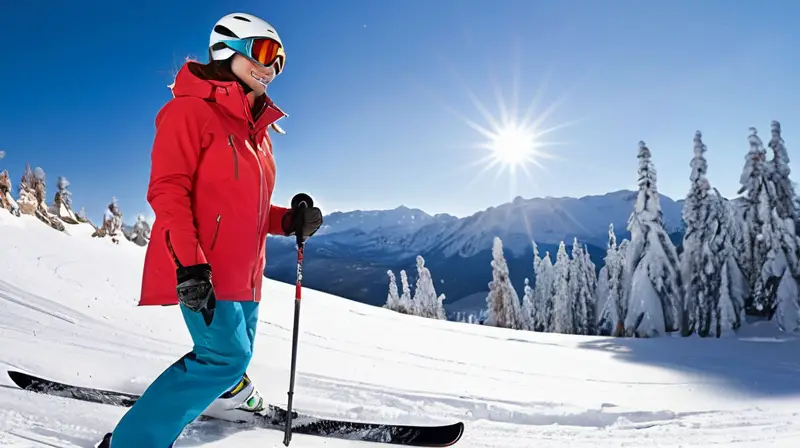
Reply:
x=237 y=25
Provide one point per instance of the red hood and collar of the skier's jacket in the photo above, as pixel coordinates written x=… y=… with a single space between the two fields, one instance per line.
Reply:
x=229 y=94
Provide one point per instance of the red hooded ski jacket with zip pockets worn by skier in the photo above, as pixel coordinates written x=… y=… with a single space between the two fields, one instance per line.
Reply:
x=211 y=184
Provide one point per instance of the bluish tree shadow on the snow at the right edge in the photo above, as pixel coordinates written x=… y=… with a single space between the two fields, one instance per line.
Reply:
x=765 y=365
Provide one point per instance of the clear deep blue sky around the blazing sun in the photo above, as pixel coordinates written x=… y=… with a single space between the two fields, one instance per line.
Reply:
x=370 y=86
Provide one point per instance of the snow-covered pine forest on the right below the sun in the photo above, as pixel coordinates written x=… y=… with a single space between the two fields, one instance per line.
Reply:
x=739 y=257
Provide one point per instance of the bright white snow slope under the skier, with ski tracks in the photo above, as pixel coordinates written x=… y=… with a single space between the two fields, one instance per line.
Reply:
x=67 y=311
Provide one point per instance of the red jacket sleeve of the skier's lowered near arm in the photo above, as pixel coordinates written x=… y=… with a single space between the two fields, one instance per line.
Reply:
x=180 y=130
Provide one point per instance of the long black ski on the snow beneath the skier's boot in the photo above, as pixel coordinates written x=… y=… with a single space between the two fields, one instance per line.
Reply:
x=273 y=418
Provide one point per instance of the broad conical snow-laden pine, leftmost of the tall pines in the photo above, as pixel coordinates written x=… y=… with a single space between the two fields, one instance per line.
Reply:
x=655 y=292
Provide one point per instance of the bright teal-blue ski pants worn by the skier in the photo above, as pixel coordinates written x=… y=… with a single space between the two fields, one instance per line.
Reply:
x=219 y=358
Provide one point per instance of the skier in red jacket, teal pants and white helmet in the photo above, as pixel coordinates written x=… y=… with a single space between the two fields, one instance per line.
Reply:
x=211 y=183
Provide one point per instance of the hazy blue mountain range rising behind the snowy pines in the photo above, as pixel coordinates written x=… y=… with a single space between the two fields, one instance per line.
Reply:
x=351 y=253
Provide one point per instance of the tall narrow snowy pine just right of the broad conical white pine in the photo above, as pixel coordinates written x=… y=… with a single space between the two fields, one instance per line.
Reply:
x=703 y=248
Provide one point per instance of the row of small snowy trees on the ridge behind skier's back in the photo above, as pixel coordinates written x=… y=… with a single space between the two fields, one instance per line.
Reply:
x=31 y=199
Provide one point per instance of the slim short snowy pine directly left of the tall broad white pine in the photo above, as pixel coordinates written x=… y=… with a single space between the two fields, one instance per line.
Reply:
x=611 y=316
